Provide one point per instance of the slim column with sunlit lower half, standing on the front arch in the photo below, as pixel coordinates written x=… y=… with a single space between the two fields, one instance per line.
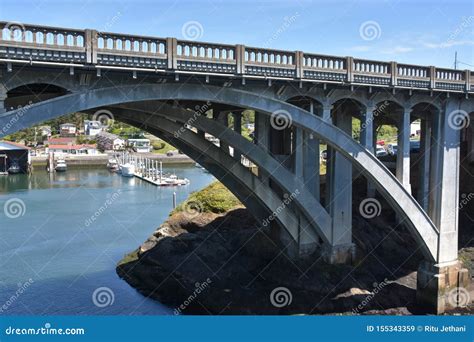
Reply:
x=403 y=153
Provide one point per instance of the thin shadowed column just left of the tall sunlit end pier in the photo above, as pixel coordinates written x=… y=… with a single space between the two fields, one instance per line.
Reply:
x=424 y=163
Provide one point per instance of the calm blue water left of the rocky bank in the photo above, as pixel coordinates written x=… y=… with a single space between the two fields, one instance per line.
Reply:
x=68 y=256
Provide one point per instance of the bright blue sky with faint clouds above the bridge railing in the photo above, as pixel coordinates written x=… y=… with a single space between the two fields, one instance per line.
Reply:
x=426 y=32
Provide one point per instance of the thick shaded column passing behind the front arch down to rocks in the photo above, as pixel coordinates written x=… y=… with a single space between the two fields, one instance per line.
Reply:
x=339 y=200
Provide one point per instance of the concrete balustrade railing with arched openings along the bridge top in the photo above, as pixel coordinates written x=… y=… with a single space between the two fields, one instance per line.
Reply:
x=44 y=44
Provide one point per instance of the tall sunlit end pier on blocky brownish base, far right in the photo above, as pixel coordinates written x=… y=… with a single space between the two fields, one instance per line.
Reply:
x=438 y=285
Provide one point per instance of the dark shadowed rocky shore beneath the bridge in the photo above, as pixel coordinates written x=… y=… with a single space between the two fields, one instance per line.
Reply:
x=242 y=267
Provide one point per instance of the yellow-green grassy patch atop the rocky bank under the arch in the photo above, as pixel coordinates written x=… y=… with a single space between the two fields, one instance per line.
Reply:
x=215 y=198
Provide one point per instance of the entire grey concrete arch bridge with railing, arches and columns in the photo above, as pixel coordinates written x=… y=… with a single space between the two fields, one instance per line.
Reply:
x=166 y=86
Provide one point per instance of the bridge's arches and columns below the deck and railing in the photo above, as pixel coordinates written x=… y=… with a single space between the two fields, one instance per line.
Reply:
x=284 y=191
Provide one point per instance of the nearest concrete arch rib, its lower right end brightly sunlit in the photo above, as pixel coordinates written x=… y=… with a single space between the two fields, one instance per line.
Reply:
x=418 y=221
